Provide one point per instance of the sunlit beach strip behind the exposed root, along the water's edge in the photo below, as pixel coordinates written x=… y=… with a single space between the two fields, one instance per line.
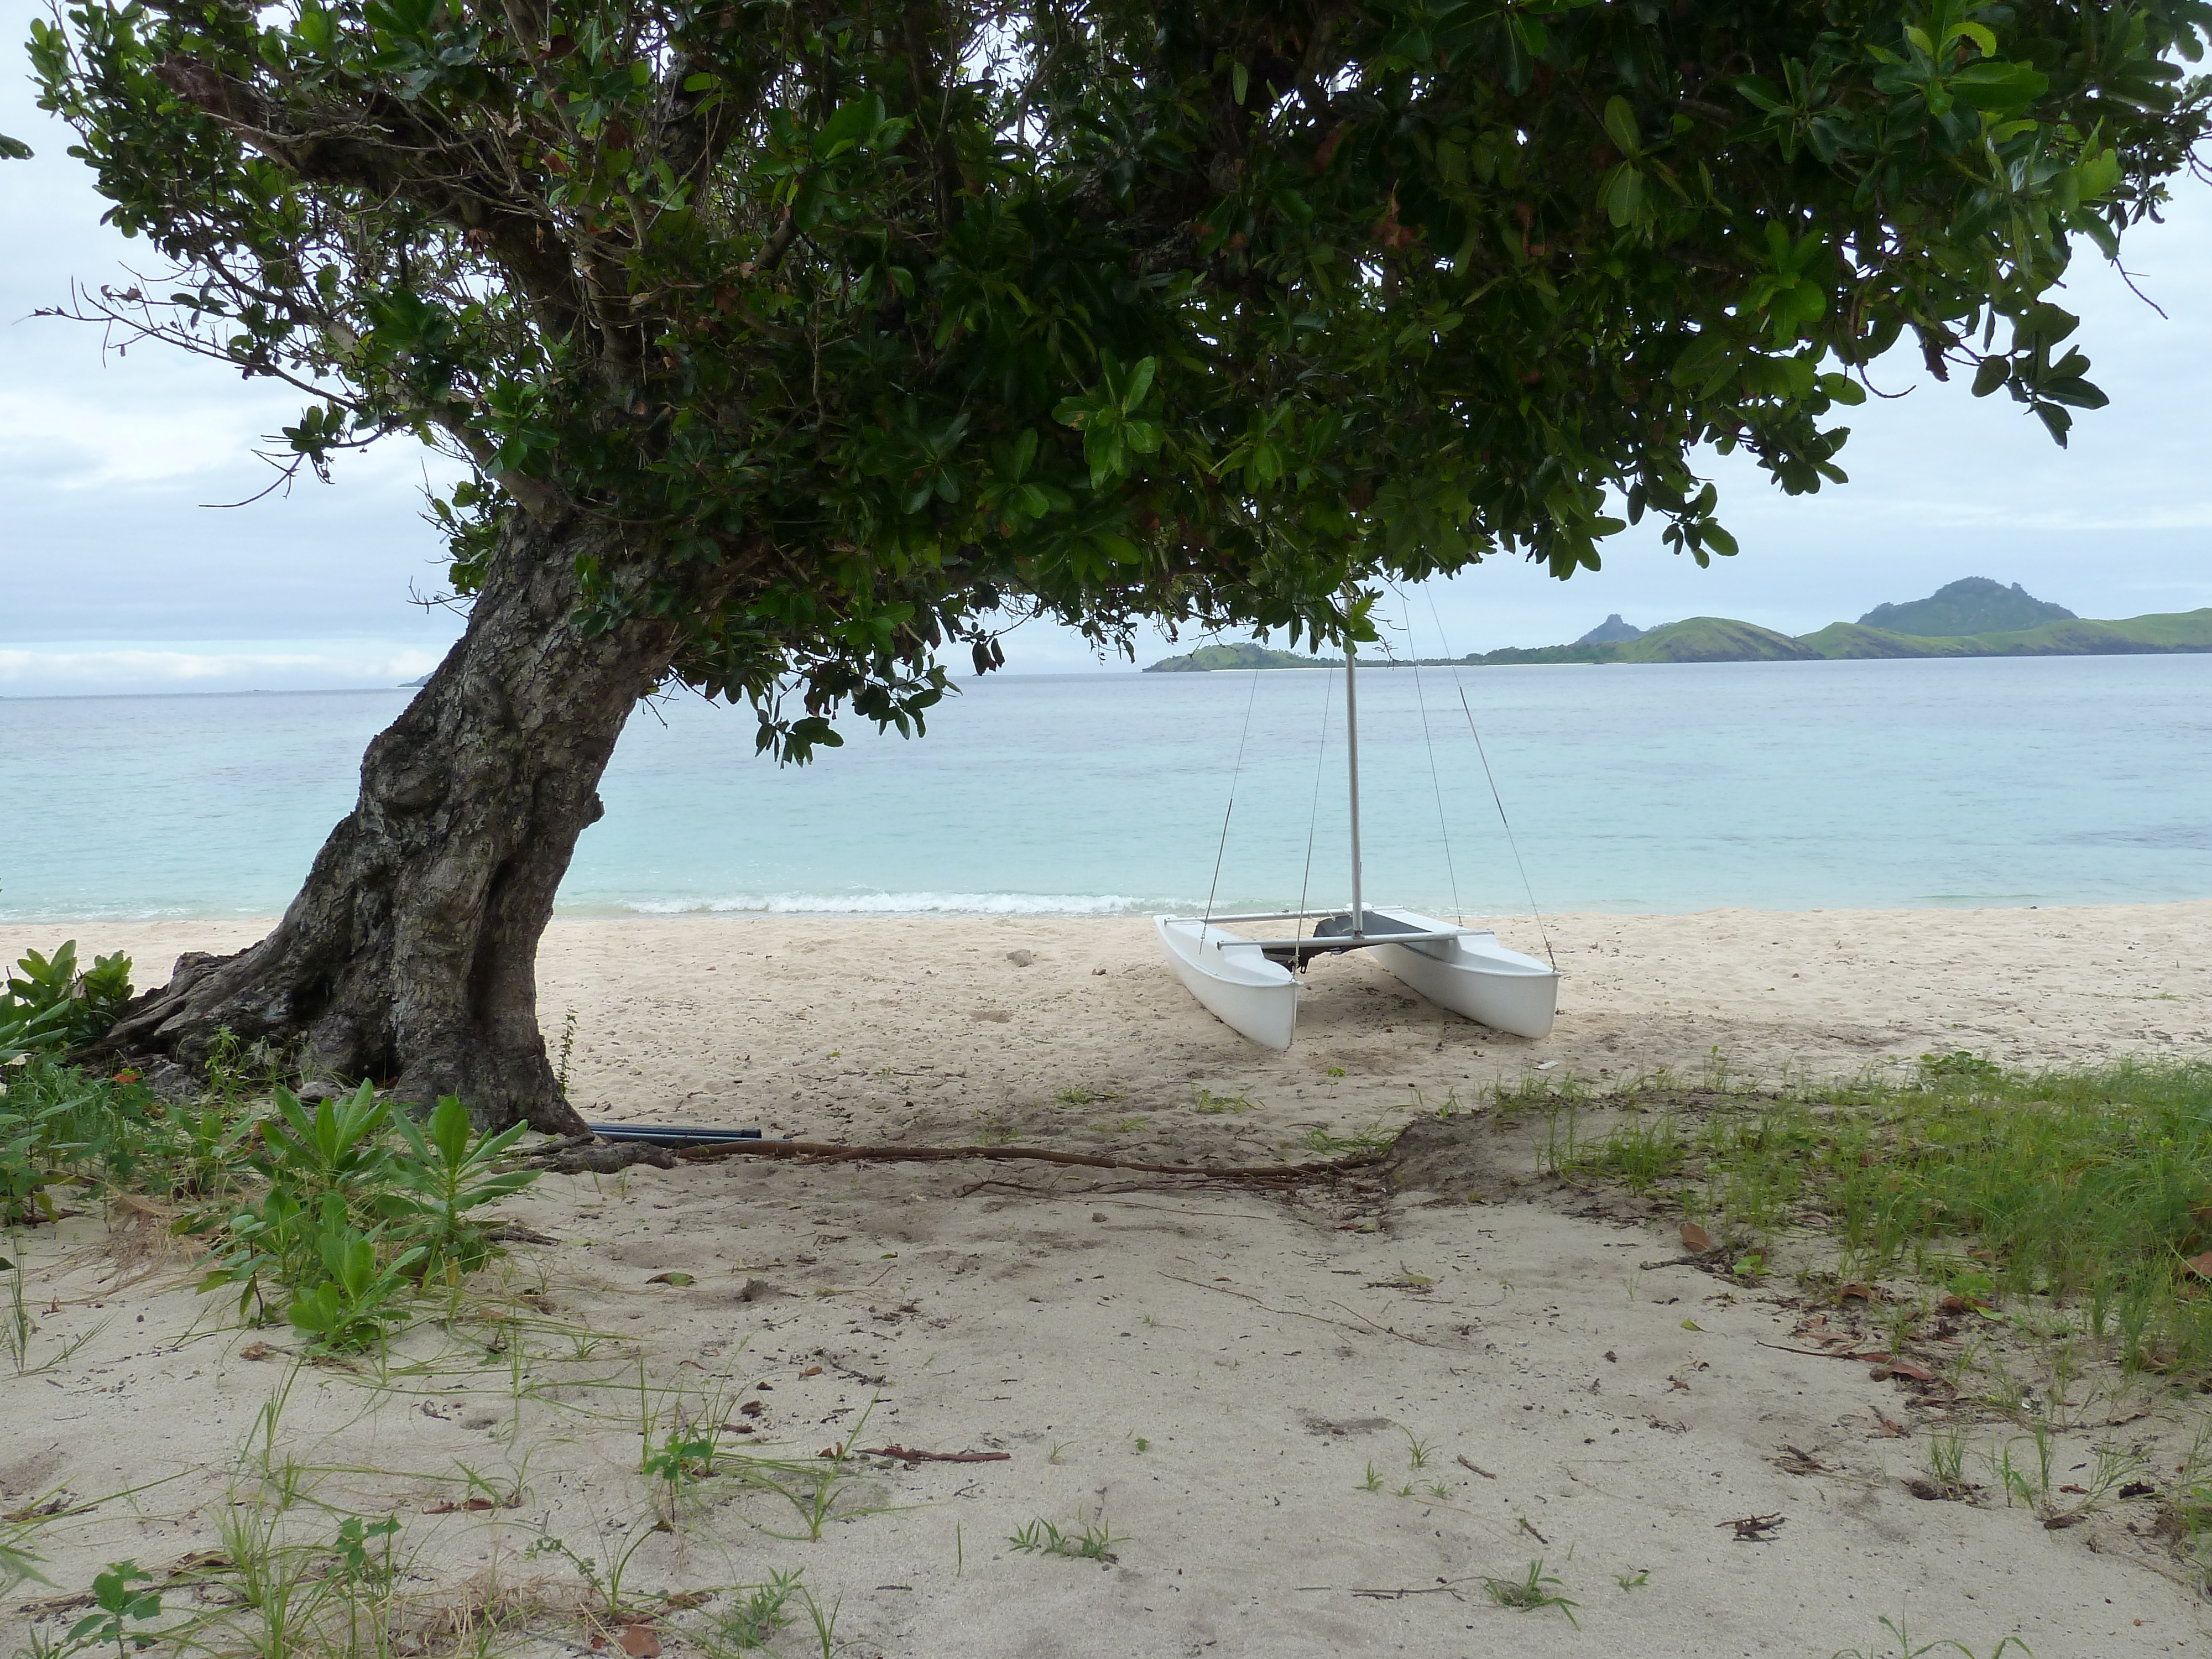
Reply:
x=910 y=1027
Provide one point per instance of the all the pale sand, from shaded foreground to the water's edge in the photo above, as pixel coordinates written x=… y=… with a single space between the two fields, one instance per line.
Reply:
x=1315 y=1426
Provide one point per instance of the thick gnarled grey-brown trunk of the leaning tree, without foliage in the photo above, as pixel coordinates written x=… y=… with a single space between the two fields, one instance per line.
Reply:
x=413 y=952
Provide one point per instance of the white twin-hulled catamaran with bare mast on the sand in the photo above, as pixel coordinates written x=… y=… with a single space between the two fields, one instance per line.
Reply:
x=1253 y=985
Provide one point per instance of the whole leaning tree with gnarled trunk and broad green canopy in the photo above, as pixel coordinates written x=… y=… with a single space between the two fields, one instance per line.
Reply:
x=797 y=344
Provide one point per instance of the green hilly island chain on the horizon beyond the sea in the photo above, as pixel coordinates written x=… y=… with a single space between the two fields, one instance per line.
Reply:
x=1972 y=618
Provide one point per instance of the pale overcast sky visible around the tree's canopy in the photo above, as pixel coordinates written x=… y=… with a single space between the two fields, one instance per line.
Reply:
x=116 y=574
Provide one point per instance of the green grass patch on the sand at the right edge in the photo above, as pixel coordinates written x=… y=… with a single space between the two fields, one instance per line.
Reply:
x=2085 y=1189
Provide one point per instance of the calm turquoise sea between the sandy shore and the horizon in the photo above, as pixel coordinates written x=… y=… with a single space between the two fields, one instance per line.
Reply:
x=1631 y=789
